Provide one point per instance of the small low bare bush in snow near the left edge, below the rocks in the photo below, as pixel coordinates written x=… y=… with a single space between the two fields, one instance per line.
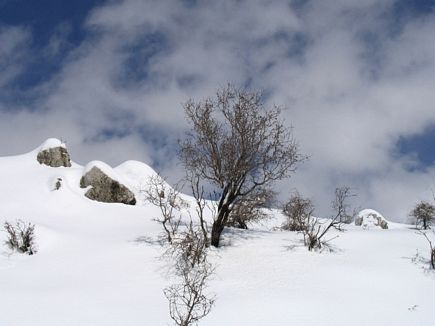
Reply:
x=21 y=237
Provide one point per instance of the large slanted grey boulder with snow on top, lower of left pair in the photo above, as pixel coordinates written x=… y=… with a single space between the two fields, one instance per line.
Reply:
x=105 y=185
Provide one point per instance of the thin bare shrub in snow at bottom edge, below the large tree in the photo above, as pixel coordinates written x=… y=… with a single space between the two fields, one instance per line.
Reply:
x=188 y=300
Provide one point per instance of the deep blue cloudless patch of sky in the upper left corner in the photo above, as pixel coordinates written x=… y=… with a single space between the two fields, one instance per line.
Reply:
x=46 y=20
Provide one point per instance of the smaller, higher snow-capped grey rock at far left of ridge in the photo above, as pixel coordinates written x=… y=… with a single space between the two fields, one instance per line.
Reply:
x=53 y=153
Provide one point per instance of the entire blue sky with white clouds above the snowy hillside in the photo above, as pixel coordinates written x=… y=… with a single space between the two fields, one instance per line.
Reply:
x=109 y=77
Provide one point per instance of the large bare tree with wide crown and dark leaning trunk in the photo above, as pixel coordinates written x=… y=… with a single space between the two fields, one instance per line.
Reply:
x=236 y=146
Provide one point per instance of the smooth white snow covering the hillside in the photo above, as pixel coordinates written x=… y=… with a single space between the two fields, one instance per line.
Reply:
x=93 y=267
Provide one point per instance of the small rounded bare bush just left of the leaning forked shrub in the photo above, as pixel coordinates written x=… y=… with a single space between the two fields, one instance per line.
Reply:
x=298 y=211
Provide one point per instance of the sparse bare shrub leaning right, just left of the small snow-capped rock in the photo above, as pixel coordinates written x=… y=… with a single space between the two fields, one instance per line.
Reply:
x=315 y=231
